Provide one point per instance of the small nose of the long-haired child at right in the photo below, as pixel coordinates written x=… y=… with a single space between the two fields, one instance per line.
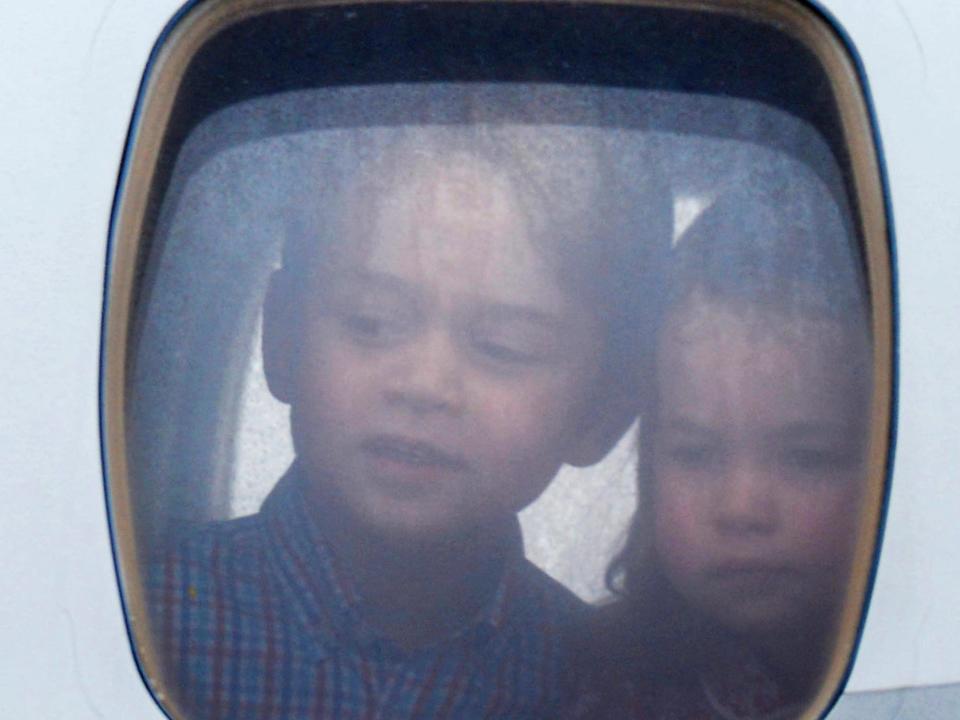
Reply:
x=747 y=501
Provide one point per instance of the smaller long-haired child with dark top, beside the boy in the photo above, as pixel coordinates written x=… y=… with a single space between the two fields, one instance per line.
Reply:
x=752 y=469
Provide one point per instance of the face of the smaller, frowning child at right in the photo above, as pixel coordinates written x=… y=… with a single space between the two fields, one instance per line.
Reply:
x=758 y=463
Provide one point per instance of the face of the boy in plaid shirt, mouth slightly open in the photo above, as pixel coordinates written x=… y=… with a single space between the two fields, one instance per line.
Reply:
x=441 y=367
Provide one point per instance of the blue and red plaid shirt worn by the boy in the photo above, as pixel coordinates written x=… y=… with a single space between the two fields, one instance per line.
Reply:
x=236 y=602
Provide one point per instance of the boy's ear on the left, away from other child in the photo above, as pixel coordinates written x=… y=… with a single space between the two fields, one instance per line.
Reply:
x=279 y=345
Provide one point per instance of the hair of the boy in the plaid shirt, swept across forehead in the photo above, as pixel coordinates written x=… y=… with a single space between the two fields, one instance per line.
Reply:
x=604 y=225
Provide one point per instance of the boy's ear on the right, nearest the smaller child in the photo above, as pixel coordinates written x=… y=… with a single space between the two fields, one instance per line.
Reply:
x=604 y=420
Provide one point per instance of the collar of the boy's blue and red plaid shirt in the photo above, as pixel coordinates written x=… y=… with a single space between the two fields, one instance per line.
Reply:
x=320 y=596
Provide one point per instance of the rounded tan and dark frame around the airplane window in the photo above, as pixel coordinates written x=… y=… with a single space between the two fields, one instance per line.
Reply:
x=189 y=32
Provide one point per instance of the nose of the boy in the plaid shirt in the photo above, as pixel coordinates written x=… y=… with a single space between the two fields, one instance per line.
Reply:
x=429 y=376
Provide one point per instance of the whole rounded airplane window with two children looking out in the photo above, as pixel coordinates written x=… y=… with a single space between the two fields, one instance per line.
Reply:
x=497 y=360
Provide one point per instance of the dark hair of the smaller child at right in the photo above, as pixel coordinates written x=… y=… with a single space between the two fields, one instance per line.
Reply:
x=761 y=252
